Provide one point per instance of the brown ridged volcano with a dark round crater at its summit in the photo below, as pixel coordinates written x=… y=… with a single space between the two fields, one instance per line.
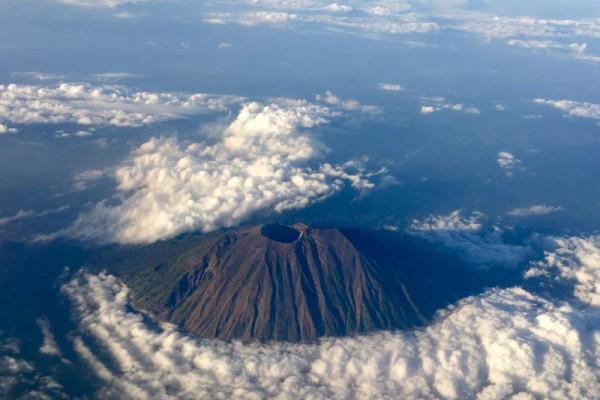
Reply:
x=287 y=283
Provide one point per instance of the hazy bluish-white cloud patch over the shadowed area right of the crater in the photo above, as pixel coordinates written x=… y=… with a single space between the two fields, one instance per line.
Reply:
x=472 y=238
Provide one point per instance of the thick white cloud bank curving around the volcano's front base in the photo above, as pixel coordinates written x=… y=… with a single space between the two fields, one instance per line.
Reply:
x=508 y=343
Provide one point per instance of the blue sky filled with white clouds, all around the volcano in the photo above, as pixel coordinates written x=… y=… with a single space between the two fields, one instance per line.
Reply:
x=471 y=125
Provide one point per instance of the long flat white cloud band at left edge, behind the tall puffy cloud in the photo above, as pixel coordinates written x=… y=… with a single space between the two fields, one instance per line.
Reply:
x=85 y=104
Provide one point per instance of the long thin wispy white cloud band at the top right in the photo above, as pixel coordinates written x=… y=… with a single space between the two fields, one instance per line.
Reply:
x=383 y=18
